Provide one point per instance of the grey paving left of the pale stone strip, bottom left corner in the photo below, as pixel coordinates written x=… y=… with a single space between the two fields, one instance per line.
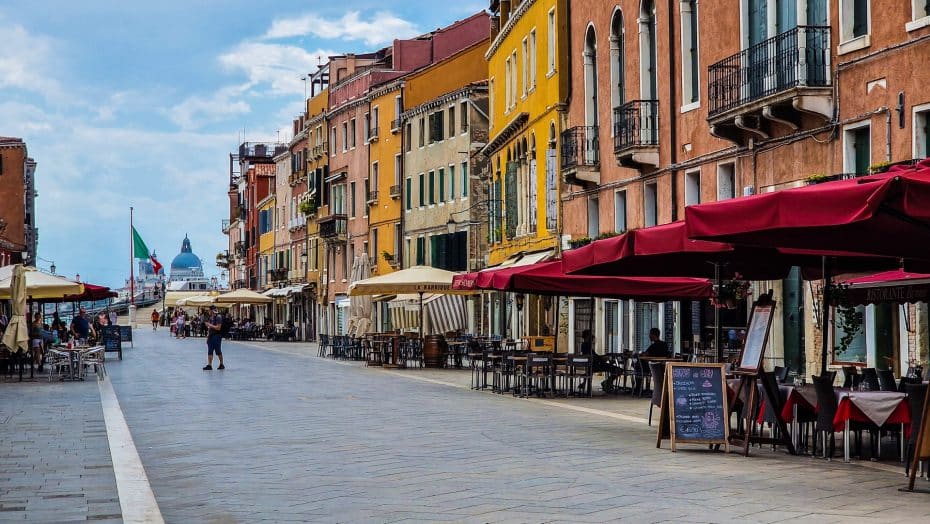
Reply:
x=54 y=454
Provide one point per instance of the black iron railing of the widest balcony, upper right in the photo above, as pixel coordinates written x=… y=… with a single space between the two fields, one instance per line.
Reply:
x=799 y=57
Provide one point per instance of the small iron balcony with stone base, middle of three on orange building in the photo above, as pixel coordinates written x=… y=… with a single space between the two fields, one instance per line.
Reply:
x=636 y=132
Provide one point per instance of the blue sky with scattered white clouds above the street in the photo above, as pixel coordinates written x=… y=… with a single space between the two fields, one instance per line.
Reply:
x=140 y=103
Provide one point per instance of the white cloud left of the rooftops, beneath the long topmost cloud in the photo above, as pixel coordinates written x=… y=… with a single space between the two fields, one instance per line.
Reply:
x=279 y=66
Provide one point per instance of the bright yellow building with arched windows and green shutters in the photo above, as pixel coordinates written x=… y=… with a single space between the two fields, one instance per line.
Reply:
x=528 y=77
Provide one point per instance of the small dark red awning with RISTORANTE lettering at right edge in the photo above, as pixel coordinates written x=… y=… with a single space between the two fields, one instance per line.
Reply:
x=891 y=286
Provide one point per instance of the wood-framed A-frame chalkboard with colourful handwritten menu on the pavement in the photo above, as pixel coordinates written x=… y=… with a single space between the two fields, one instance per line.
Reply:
x=694 y=404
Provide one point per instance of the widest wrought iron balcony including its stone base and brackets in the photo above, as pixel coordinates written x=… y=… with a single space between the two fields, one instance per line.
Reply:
x=773 y=80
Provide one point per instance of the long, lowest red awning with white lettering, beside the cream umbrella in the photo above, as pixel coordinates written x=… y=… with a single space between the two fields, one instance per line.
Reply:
x=547 y=278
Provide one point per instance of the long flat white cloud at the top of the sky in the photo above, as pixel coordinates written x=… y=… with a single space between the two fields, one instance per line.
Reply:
x=381 y=28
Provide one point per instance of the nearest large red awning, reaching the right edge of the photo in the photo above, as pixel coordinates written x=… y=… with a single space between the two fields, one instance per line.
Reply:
x=887 y=214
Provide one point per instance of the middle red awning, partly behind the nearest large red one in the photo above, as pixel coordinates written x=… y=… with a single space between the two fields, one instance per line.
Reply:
x=666 y=250
